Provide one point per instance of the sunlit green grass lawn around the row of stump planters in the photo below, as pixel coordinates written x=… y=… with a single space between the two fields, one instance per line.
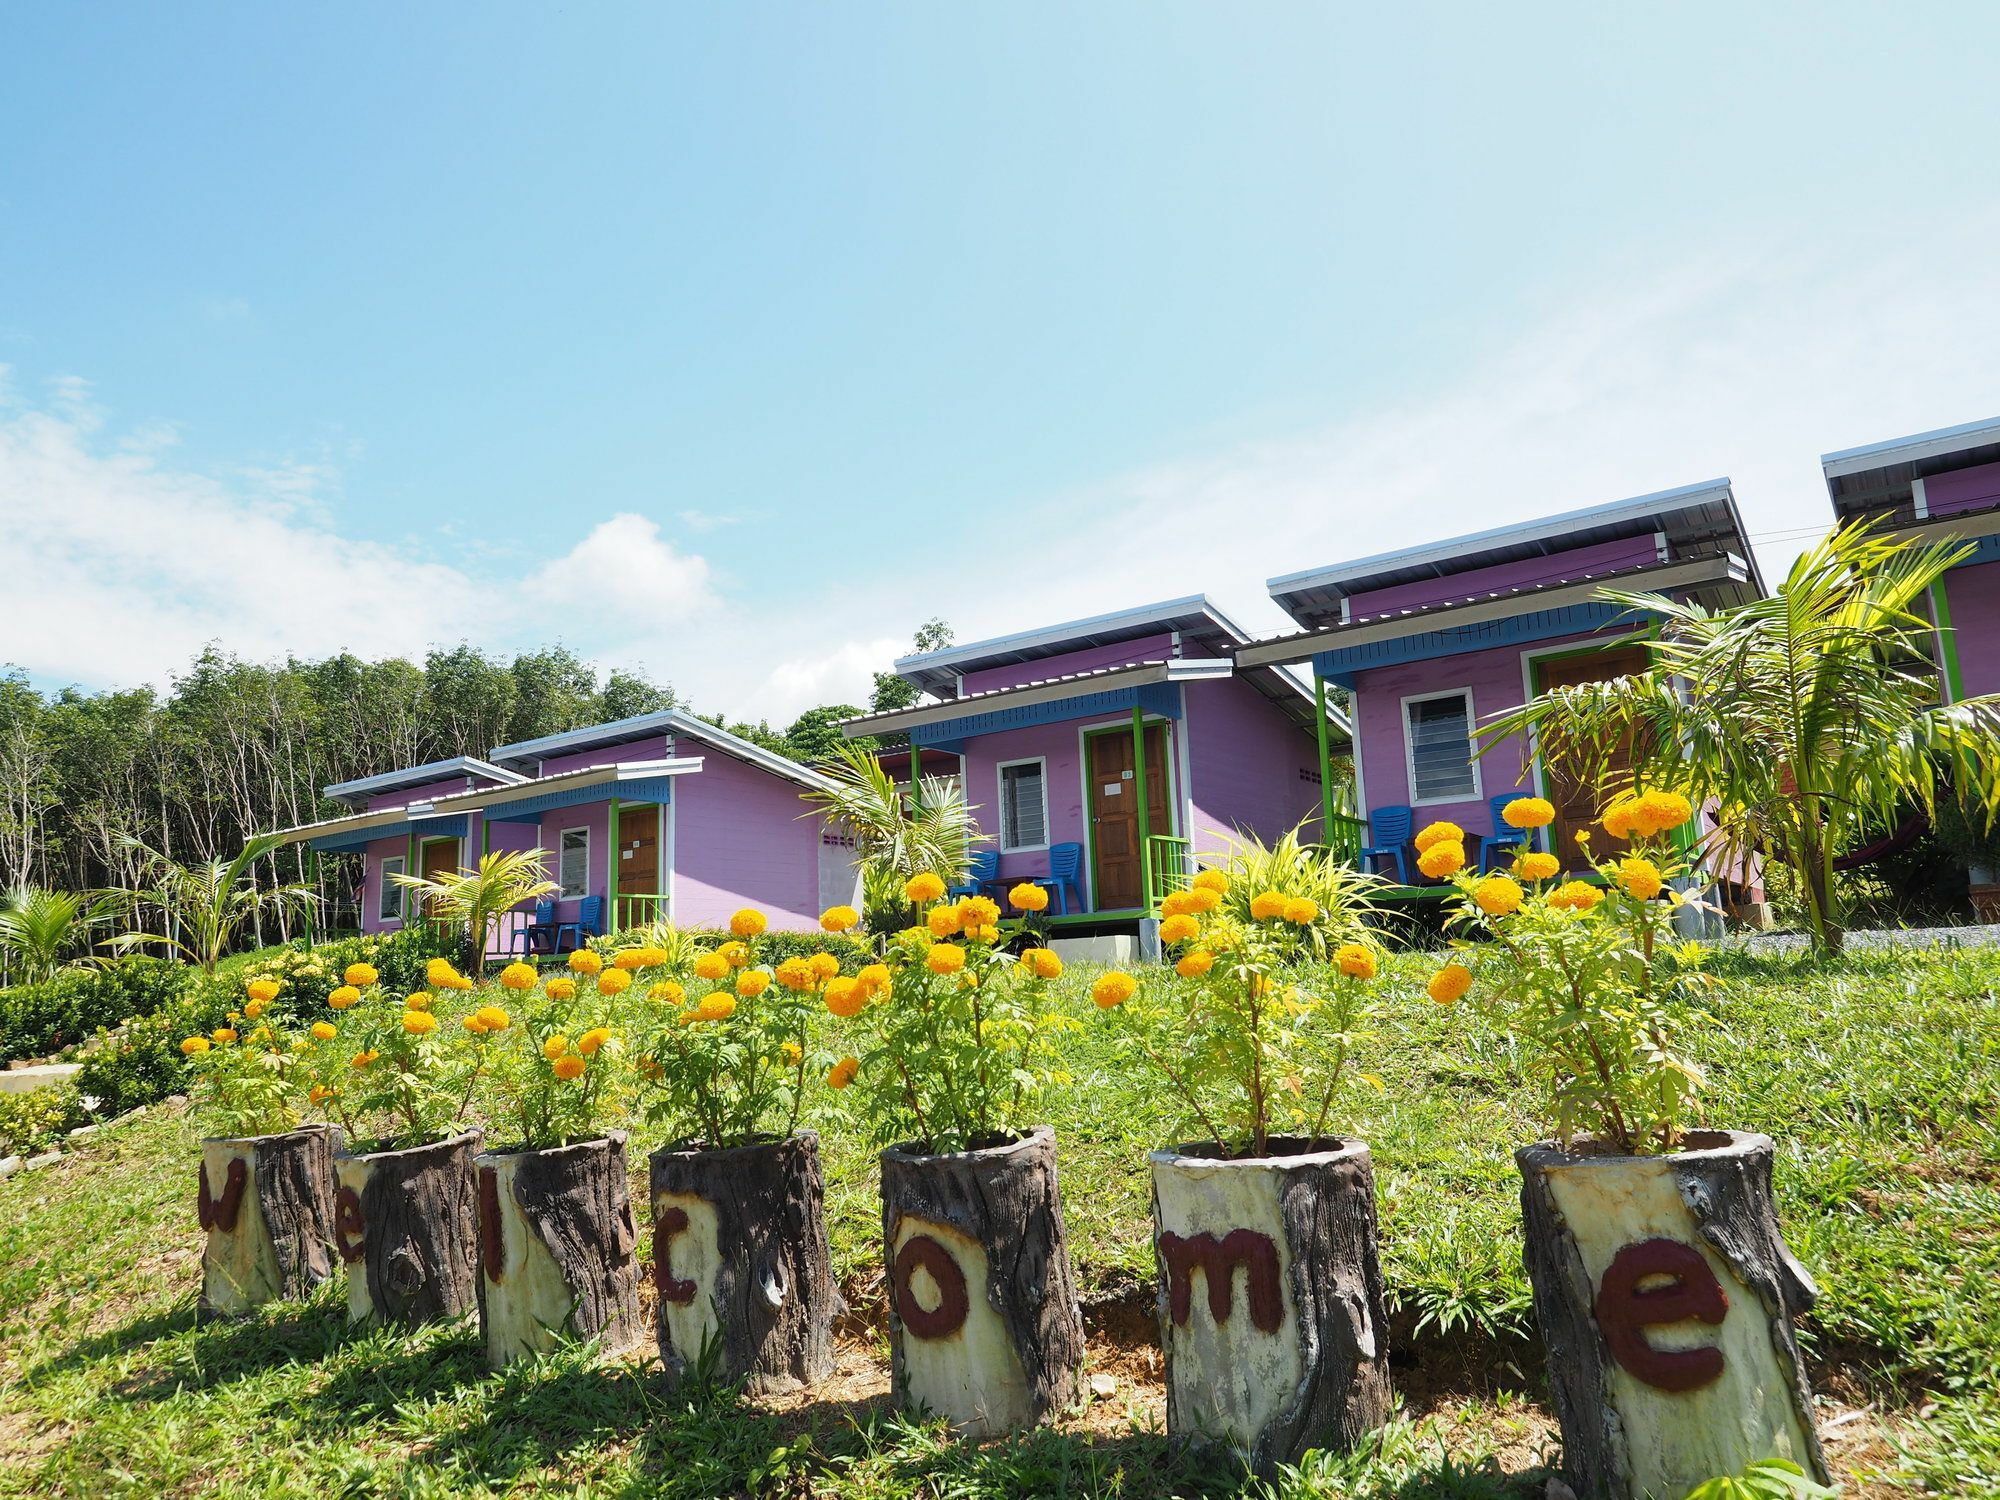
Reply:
x=1879 y=1077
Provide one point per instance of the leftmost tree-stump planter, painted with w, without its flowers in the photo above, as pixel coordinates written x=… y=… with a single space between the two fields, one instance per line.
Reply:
x=267 y=1205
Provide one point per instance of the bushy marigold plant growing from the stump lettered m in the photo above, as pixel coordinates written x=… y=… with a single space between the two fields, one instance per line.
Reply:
x=1245 y=1035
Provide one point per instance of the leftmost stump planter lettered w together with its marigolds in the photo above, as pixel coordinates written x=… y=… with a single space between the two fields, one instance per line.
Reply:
x=267 y=1181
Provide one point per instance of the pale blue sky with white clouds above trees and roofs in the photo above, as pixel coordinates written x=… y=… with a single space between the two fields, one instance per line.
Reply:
x=733 y=341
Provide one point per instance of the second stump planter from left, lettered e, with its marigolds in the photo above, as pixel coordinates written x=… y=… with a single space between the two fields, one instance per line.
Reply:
x=401 y=1077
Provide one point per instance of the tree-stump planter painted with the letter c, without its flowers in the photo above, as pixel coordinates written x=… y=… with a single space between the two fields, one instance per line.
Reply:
x=741 y=1265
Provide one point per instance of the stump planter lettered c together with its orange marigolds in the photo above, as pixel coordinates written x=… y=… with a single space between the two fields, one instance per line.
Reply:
x=743 y=1269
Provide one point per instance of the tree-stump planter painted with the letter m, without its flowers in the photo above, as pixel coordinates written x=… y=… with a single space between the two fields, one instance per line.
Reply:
x=1271 y=1299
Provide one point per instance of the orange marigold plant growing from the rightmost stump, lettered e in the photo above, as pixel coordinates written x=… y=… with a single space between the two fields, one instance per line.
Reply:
x=1585 y=975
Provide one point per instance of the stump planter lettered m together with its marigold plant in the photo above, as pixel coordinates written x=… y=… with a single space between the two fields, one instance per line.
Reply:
x=1253 y=1037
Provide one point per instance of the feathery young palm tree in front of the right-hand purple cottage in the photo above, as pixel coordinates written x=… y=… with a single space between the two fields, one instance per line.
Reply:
x=1803 y=719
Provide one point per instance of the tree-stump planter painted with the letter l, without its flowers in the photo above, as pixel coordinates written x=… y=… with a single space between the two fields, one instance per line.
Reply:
x=557 y=1249
